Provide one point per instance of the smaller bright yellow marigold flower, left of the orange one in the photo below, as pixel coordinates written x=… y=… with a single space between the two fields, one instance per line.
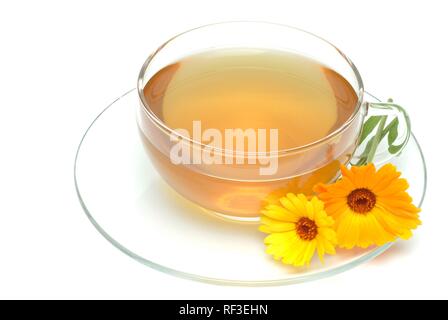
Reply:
x=297 y=228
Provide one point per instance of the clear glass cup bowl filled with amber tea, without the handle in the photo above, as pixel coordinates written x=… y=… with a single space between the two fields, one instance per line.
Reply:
x=234 y=114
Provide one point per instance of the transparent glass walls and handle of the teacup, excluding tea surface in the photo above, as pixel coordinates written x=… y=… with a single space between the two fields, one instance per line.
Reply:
x=238 y=190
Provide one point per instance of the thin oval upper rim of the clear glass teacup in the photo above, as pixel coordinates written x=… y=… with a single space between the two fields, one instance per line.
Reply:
x=161 y=125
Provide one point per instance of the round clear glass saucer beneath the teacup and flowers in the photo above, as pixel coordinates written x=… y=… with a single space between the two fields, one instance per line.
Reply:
x=133 y=208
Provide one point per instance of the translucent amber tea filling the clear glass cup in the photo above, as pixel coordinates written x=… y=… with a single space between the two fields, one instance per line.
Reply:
x=250 y=88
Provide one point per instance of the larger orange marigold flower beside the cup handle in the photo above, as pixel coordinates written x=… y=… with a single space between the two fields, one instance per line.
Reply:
x=369 y=207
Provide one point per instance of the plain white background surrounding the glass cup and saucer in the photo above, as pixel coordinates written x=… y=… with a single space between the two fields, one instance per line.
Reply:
x=62 y=62
